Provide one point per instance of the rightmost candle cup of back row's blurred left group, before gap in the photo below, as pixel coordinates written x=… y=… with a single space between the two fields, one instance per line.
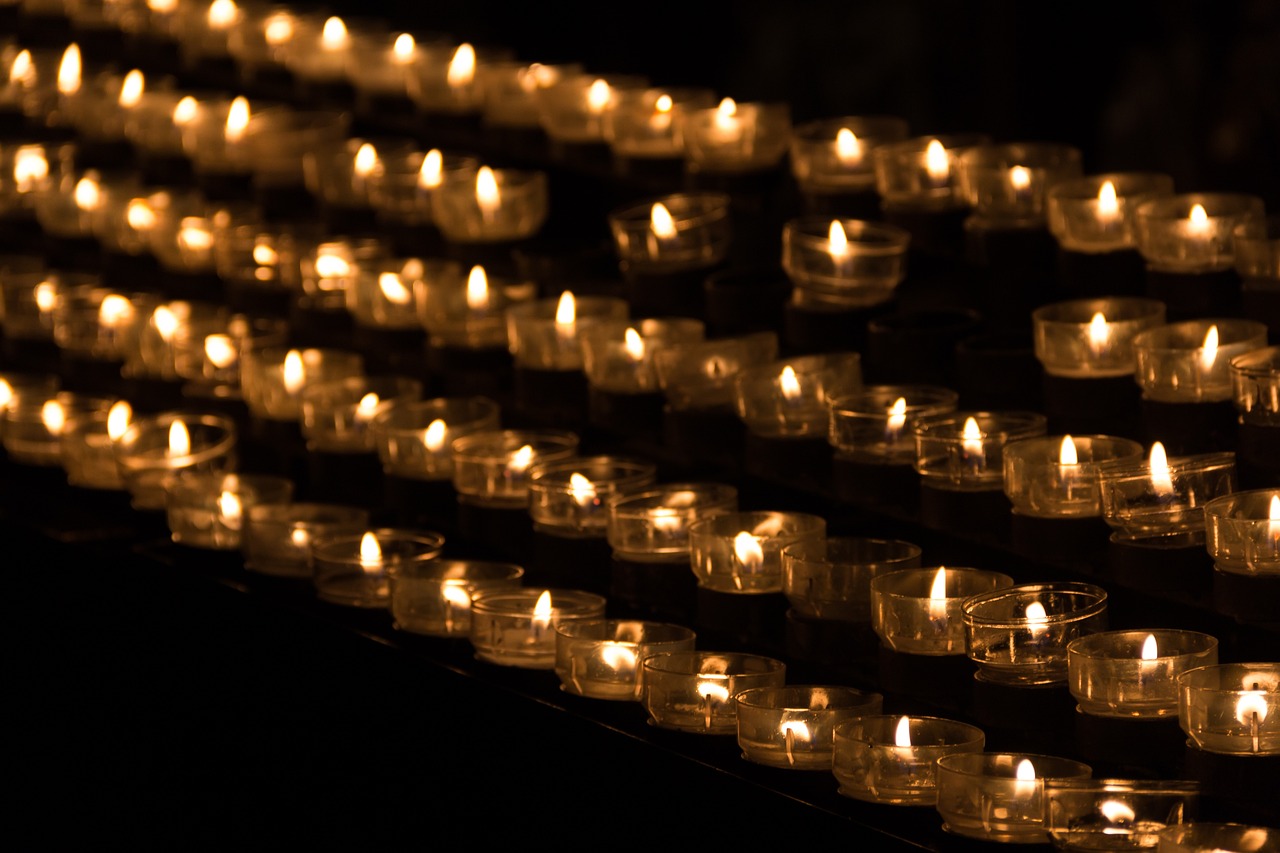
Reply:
x=737 y=138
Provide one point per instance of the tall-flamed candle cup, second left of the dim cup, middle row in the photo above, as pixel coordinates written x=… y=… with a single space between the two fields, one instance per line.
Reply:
x=543 y=334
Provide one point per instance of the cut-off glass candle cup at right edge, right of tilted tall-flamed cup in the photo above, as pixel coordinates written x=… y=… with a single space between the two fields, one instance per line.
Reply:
x=1242 y=532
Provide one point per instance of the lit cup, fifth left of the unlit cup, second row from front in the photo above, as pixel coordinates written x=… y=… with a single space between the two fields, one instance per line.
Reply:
x=415 y=439
